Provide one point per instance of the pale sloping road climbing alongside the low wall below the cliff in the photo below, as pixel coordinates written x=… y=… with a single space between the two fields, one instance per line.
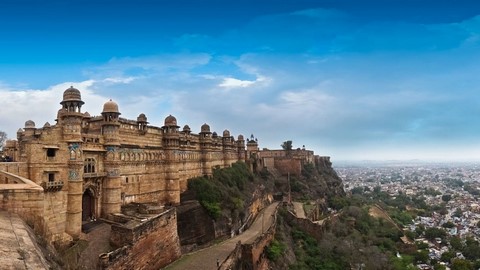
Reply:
x=206 y=259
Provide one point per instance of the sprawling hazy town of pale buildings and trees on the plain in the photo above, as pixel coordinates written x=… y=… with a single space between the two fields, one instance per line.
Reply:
x=445 y=200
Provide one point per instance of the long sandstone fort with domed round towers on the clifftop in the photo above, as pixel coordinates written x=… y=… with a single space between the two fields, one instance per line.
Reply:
x=82 y=168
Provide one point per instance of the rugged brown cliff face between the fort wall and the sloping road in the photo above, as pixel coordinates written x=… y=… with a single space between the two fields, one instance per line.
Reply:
x=318 y=181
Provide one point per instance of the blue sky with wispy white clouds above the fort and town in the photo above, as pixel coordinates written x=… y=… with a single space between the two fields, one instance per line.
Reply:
x=350 y=79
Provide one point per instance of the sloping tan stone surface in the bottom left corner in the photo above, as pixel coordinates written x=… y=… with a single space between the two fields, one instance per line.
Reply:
x=18 y=249
